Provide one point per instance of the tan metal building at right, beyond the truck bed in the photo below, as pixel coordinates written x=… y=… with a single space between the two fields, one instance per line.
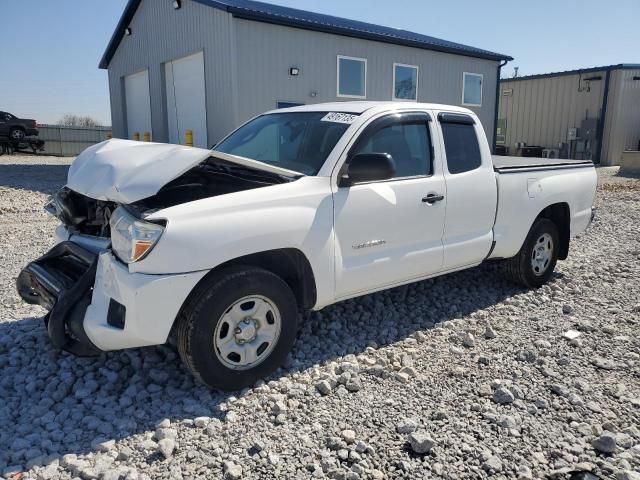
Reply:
x=591 y=114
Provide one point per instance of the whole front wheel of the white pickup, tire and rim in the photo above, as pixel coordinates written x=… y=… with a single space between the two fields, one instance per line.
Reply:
x=237 y=327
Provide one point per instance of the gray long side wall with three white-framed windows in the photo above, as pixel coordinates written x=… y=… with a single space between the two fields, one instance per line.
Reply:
x=266 y=52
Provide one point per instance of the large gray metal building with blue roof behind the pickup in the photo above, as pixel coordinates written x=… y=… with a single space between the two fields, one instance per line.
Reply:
x=210 y=65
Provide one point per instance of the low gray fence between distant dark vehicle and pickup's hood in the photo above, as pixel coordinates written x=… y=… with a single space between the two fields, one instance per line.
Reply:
x=70 y=141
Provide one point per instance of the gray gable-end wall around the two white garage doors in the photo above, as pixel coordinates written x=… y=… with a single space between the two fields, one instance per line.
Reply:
x=161 y=34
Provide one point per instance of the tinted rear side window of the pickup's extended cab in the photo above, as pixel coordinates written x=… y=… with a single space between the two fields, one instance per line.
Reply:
x=461 y=146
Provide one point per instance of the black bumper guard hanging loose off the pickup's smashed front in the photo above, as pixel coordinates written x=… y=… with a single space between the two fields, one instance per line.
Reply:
x=61 y=281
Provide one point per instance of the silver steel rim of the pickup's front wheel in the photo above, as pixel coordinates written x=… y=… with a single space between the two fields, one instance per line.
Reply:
x=247 y=332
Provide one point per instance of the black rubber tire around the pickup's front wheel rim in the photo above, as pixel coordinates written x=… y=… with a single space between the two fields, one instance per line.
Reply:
x=204 y=310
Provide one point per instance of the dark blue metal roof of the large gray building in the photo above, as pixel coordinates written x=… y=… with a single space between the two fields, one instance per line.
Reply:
x=291 y=17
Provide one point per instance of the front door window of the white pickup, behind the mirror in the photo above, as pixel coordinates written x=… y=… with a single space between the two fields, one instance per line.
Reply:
x=408 y=143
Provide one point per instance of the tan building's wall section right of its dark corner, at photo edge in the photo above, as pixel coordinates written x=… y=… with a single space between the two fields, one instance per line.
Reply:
x=622 y=129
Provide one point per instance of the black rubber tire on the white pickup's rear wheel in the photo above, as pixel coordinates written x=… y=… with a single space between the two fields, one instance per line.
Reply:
x=520 y=269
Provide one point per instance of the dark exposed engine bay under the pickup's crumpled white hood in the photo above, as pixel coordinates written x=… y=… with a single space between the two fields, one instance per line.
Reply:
x=213 y=177
